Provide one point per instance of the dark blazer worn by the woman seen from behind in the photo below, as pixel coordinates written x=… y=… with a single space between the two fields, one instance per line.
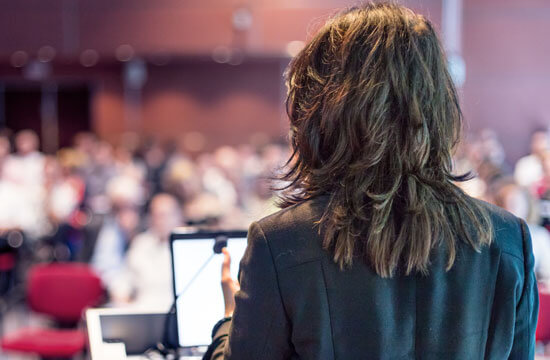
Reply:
x=295 y=303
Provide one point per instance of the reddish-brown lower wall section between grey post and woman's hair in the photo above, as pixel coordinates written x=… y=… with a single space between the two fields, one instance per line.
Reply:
x=229 y=103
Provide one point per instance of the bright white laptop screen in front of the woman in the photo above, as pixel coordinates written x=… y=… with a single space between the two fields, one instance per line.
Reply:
x=197 y=278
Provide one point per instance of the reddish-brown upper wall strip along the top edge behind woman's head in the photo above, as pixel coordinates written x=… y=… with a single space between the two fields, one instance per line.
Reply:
x=177 y=26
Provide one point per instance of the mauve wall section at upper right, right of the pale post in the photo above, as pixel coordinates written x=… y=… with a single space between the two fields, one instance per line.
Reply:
x=507 y=55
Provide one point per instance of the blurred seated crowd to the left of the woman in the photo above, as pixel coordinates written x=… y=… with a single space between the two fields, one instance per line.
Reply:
x=114 y=206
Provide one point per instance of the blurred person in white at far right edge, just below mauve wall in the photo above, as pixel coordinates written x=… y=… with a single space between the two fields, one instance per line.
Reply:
x=528 y=170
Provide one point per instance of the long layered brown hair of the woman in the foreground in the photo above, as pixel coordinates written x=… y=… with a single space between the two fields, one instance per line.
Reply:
x=375 y=120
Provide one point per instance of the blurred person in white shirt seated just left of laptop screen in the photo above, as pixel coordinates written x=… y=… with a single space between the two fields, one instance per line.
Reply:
x=147 y=277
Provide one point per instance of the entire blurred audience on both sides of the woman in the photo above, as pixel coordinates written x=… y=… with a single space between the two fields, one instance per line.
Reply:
x=114 y=205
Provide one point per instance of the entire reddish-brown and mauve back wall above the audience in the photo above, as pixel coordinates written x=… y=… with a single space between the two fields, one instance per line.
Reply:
x=504 y=45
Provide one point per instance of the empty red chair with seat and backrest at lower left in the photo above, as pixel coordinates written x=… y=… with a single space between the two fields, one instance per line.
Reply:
x=62 y=291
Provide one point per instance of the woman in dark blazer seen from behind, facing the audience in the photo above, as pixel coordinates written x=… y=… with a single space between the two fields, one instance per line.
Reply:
x=377 y=254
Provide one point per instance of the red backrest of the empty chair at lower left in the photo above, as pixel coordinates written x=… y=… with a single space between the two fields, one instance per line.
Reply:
x=63 y=290
